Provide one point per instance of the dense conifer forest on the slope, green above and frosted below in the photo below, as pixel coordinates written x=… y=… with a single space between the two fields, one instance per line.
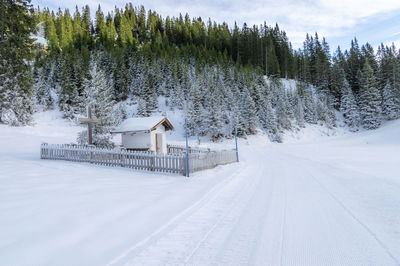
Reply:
x=219 y=77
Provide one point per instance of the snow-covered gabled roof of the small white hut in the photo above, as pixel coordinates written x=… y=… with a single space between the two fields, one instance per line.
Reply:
x=143 y=124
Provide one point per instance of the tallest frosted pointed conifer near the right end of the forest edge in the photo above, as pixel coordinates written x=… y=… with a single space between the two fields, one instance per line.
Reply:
x=370 y=99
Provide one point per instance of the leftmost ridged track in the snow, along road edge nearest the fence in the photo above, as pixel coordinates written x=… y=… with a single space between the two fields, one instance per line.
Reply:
x=183 y=240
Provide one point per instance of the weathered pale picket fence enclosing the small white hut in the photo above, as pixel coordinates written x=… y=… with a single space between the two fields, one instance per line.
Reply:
x=169 y=163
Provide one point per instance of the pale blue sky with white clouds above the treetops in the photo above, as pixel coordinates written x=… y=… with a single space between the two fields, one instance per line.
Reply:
x=372 y=21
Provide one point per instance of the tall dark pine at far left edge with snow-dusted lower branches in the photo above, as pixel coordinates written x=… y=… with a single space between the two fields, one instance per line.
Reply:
x=16 y=106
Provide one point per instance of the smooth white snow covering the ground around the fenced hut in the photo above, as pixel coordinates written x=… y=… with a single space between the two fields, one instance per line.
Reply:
x=316 y=200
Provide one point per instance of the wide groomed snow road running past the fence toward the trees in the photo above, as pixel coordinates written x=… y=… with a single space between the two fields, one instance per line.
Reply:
x=268 y=214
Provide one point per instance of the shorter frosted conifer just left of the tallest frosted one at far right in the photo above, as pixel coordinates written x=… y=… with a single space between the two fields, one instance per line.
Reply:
x=349 y=108
